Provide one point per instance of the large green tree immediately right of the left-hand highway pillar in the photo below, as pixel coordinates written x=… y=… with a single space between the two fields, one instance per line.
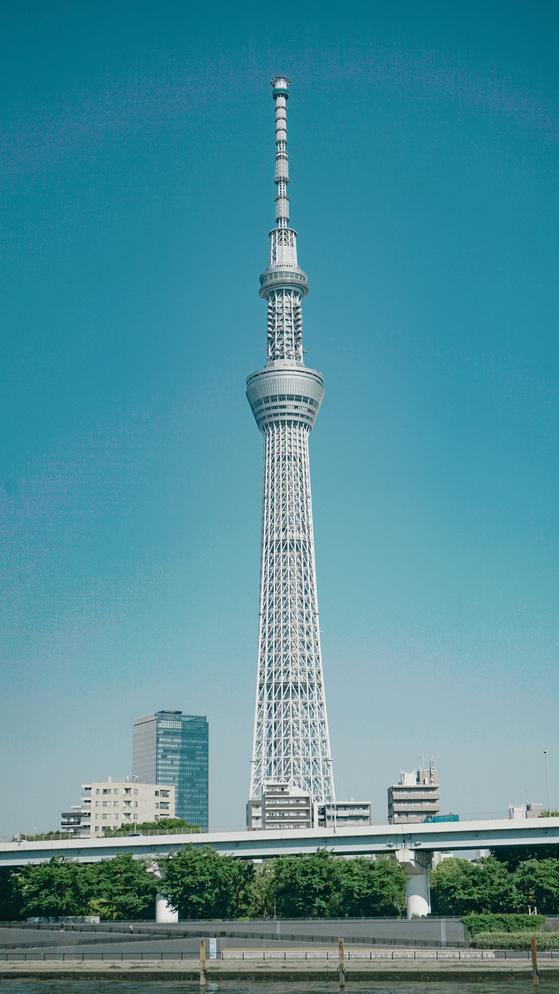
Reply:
x=202 y=884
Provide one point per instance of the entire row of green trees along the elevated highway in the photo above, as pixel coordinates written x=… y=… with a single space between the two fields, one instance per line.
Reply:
x=203 y=884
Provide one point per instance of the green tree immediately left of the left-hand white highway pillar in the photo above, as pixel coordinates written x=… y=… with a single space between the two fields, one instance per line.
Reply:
x=122 y=889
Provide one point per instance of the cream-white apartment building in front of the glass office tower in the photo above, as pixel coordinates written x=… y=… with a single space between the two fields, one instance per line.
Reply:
x=109 y=804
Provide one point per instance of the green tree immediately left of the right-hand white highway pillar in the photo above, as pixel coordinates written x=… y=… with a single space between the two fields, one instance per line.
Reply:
x=372 y=887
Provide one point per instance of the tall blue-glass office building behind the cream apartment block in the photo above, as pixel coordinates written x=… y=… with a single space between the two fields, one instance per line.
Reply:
x=170 y=747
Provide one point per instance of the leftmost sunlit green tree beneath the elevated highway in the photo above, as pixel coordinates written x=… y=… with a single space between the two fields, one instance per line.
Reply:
x=57 y=888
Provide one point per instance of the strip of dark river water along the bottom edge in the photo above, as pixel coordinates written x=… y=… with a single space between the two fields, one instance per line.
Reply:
x=271 y=987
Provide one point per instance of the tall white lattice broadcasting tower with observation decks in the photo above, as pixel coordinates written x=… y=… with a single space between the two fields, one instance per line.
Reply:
x=291 y=740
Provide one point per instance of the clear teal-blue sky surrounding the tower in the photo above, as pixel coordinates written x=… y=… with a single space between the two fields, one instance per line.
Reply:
x=138 y=192
